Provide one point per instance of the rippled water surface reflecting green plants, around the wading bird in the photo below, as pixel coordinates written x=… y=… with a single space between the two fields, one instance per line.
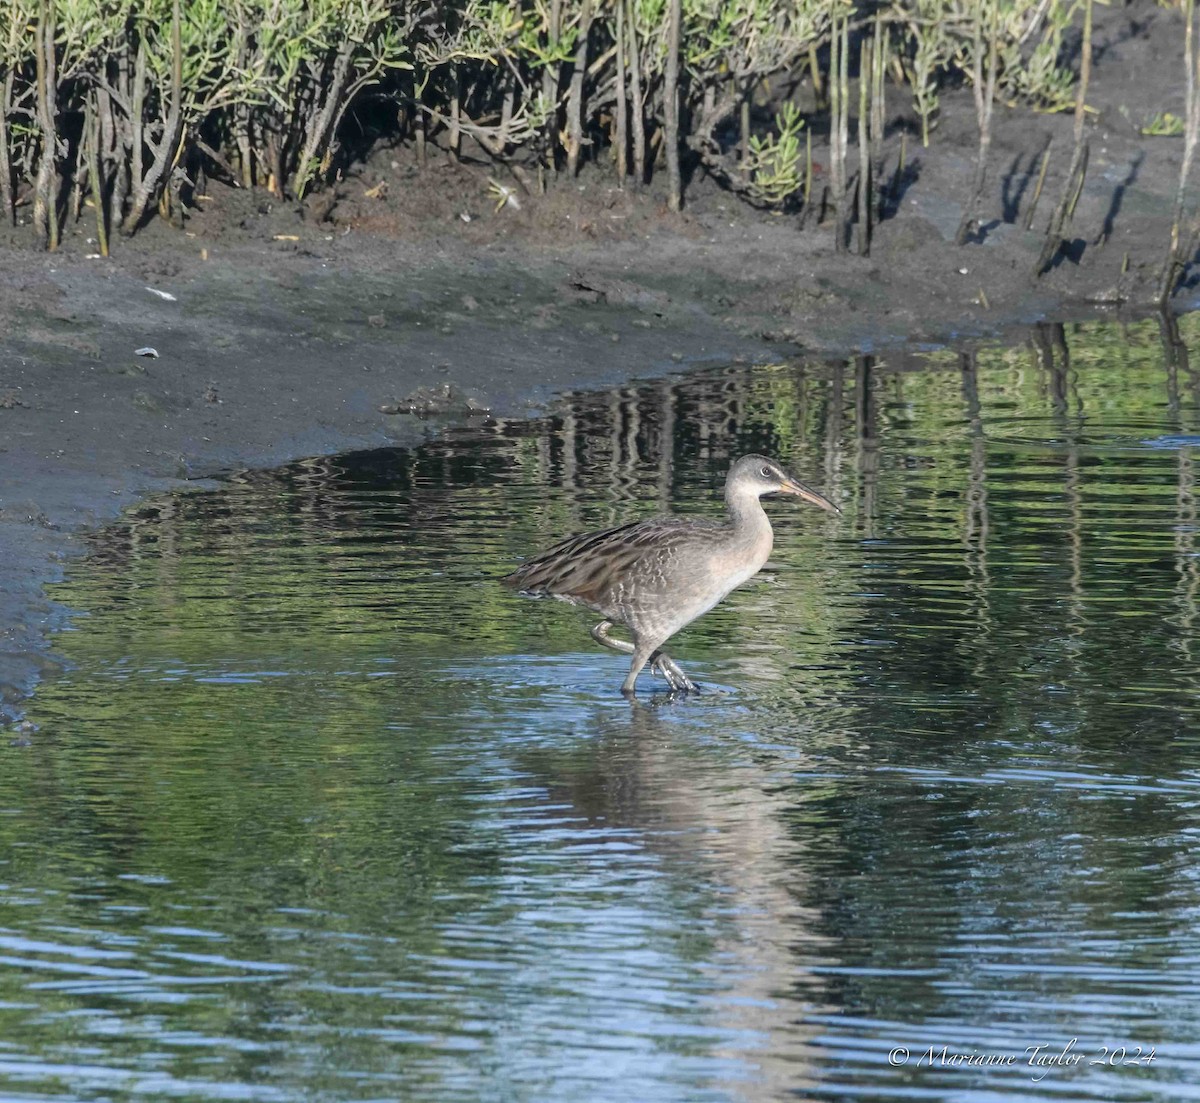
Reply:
x=323 y=813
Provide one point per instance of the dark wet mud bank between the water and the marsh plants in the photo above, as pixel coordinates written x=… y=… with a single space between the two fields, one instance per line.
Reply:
x=293 y=329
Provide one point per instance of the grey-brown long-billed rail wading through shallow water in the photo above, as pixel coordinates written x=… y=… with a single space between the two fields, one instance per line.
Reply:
x=656 y=577
